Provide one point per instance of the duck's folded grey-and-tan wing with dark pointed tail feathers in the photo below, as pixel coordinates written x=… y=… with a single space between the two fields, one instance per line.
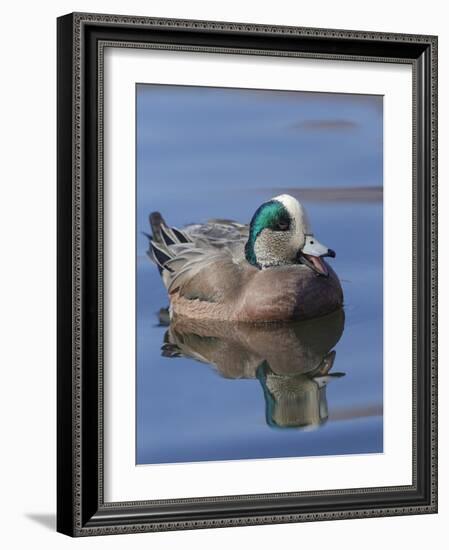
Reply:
x=200 y=262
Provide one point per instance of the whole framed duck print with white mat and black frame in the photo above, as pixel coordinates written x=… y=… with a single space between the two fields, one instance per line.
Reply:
x=247 y=274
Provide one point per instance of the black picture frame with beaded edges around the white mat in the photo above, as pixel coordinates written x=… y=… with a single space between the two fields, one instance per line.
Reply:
x=81 y=509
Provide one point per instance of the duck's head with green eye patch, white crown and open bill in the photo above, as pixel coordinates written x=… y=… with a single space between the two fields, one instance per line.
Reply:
x=280 y=234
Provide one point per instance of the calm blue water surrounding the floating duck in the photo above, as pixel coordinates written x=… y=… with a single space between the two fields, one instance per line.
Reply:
x=219 y=153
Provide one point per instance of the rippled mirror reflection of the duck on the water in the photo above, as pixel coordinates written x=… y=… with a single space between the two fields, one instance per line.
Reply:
x=292 y=361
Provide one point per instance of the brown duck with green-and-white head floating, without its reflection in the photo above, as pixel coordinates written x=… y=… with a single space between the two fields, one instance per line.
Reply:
x=270 y=270
